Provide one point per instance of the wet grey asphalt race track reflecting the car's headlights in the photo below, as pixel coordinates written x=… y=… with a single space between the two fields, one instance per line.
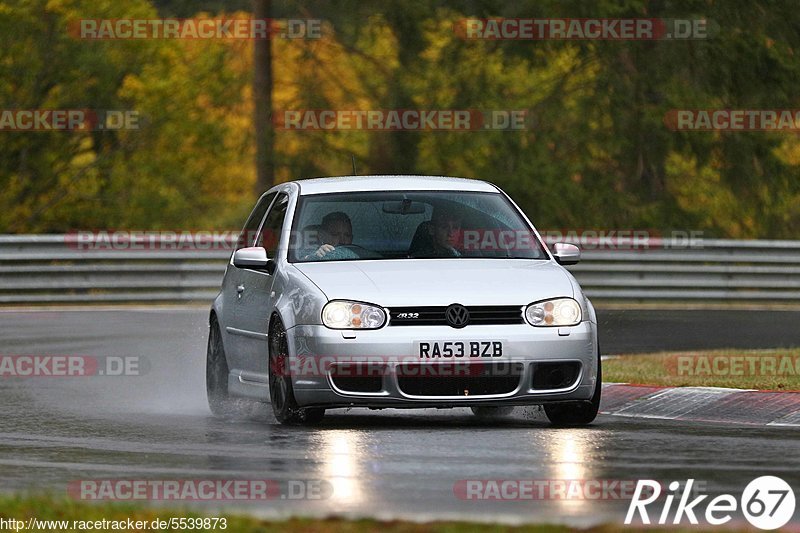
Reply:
x=377 y=463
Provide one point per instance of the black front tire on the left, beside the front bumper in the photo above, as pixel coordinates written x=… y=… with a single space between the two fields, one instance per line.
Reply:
x=281 y=393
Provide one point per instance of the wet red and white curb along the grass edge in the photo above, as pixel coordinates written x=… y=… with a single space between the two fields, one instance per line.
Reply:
x=702 y=404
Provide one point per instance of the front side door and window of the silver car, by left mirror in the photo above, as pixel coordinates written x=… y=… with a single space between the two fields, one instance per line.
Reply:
x=253 y=309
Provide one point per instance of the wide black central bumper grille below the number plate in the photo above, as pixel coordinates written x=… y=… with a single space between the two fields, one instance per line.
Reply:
x=458 y=379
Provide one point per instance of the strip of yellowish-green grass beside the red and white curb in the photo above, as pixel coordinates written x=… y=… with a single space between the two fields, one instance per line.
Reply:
x=682 y=369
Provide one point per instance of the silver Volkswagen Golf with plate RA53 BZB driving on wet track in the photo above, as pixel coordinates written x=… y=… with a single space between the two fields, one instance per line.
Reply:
x=400 y=292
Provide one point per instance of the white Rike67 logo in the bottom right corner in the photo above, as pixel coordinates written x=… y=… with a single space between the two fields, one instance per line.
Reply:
x=767 y=503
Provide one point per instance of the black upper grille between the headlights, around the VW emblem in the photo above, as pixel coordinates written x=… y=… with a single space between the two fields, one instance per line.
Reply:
x=434 y=315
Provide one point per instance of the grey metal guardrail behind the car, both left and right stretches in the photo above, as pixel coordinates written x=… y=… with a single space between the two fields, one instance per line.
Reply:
x=38 y=269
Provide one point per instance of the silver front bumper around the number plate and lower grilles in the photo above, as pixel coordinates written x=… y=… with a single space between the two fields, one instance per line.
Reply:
x=393 y=346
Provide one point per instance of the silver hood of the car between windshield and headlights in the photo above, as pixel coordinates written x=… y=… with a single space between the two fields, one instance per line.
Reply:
x=408 y=282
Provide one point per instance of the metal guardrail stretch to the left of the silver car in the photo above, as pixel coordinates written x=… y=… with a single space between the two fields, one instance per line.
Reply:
x=38 y=269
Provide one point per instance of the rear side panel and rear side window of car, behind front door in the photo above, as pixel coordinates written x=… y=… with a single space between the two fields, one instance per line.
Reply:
x=232 y=286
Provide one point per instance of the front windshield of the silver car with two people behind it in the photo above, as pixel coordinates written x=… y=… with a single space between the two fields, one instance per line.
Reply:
x=417 y=224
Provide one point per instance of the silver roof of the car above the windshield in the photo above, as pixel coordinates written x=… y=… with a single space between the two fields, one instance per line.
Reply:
x=391 y=183
